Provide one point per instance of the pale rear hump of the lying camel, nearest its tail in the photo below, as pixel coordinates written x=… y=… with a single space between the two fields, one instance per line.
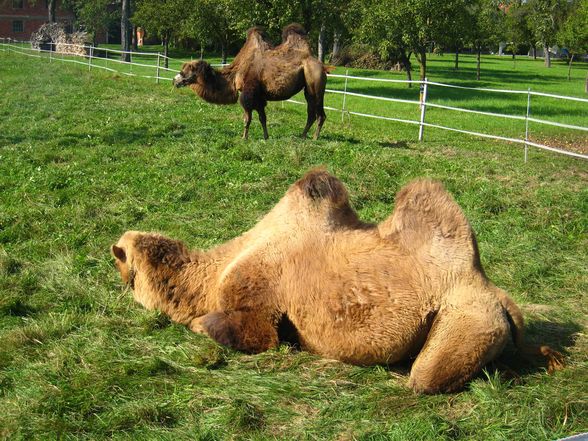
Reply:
x=428 y=222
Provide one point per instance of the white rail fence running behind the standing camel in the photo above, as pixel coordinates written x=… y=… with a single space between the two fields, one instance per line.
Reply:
x=24 y=48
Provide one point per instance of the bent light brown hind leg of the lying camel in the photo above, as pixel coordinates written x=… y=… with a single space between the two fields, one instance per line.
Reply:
x=459 y=344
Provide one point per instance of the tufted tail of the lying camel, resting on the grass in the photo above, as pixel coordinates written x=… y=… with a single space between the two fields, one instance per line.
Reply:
x=555 y=360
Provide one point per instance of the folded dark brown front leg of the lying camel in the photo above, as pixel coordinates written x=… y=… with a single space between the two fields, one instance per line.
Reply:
x=247 y=331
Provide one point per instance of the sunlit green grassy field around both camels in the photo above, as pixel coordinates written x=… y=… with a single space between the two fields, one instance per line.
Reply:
x=85 y=156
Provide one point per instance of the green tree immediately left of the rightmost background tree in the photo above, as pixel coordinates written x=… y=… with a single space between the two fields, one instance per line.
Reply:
x=545 y=17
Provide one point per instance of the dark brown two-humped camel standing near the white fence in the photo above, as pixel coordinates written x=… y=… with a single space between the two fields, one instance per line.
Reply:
x=260 y=74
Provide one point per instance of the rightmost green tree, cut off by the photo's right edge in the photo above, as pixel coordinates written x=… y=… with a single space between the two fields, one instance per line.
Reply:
x=573 y=34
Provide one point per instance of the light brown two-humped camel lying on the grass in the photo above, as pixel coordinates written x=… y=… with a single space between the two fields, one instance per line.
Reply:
x=364 y=294
